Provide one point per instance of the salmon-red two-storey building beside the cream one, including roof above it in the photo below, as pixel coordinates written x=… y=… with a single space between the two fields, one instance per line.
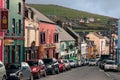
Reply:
x=47 y=32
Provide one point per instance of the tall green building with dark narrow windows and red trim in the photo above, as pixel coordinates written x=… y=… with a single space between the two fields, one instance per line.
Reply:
x=14 y=36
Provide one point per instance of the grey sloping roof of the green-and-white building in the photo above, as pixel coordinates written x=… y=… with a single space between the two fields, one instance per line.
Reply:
x=63 y=35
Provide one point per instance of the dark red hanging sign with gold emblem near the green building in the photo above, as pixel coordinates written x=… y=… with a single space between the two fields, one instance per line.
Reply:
x=4 y=19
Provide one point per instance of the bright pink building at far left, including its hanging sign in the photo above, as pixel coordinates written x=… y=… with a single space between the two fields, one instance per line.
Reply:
x=3 y=13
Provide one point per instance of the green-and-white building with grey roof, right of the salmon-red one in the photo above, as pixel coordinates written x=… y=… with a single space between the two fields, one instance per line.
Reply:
x=66 y=44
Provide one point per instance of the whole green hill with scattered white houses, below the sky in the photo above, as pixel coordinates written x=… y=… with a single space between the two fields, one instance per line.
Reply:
x=78 y=20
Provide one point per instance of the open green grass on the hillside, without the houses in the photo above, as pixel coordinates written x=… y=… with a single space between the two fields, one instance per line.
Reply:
x=64 y=14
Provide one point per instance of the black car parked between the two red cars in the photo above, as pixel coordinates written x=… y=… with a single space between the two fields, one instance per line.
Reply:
x=52 y=65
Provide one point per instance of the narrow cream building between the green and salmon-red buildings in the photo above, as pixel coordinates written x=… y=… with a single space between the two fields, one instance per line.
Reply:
x=31 y=34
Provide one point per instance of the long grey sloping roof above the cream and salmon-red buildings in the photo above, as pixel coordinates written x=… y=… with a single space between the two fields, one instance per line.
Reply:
x=40 y=16
